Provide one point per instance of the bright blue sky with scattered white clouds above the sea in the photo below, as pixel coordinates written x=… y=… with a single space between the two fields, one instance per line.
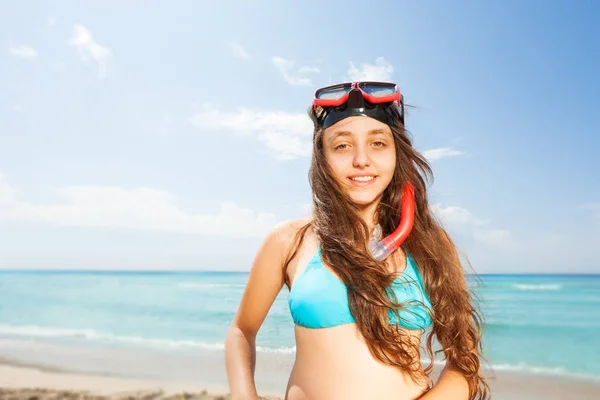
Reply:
x=162 y=135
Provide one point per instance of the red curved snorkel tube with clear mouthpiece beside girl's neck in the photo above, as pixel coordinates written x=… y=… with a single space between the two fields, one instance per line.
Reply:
x=381 y=249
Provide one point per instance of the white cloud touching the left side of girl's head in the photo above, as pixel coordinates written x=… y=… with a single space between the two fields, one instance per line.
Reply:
x=286 y=135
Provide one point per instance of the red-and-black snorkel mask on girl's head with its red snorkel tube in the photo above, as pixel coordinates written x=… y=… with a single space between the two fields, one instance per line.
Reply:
x=375 y=100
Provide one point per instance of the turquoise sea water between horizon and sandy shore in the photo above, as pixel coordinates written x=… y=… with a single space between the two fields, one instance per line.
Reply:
x=542 y=324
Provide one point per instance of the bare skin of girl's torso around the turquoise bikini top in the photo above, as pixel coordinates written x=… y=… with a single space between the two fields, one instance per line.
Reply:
x=335 y=363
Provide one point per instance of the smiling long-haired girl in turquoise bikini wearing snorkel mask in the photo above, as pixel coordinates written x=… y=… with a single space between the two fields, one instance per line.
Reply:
x=361 y=305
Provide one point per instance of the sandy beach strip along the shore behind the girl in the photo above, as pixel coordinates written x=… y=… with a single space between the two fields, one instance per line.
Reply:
x=26 y=382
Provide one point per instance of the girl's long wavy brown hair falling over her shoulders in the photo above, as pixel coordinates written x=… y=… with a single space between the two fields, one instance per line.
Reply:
x=457 y=321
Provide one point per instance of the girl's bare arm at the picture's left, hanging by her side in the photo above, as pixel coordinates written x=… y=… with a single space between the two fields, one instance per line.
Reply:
x=264 y=284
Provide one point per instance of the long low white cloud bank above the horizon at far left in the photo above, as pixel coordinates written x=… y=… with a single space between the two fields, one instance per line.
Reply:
x=141 y=209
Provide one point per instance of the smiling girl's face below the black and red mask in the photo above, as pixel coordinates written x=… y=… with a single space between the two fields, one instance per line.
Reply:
x=362 y=156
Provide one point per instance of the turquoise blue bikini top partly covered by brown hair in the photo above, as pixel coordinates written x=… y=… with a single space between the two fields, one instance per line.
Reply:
x=318 y=299
